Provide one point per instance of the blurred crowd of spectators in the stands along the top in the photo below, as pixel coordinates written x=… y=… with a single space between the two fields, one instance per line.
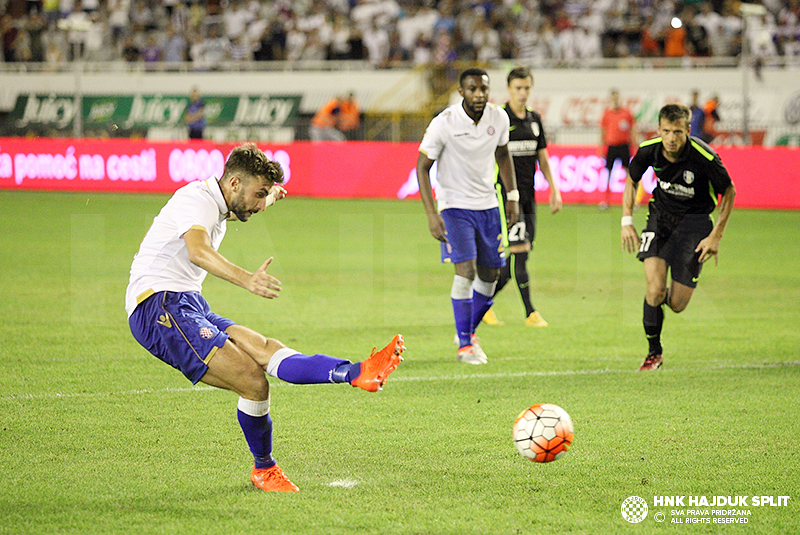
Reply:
x=213 y=33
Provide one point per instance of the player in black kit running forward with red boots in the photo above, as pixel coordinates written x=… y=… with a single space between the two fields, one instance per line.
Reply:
x=680 y=234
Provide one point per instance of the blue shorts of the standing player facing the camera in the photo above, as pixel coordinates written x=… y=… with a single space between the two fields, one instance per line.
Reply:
x=473 y=235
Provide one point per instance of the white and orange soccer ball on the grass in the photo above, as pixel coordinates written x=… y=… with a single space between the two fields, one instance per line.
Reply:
x=543 y=432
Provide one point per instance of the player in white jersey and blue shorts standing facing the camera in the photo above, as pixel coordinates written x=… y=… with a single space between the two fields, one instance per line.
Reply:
x=465 y=140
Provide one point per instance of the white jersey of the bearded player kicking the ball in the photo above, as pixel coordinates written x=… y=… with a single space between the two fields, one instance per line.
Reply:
x=162 y=263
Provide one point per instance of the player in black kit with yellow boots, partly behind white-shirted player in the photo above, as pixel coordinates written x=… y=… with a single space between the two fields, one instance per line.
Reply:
x=528 y=145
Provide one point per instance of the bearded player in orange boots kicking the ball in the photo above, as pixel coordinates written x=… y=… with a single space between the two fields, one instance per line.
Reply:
x=169 y=317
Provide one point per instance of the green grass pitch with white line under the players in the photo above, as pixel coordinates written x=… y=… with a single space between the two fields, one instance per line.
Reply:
x=97 y=436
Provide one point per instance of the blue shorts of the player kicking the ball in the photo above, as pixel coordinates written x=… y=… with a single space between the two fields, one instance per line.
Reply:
x=180 y=329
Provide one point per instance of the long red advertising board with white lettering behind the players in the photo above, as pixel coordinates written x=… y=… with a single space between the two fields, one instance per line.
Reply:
x=764 y=177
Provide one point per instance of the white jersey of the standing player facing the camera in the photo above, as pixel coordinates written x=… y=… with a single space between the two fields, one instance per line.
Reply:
x=464 y=154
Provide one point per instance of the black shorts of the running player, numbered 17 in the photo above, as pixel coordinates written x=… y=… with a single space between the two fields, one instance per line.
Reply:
x=676 y=243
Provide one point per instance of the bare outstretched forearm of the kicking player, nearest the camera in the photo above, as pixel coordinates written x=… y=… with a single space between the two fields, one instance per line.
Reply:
x=203 y=255
